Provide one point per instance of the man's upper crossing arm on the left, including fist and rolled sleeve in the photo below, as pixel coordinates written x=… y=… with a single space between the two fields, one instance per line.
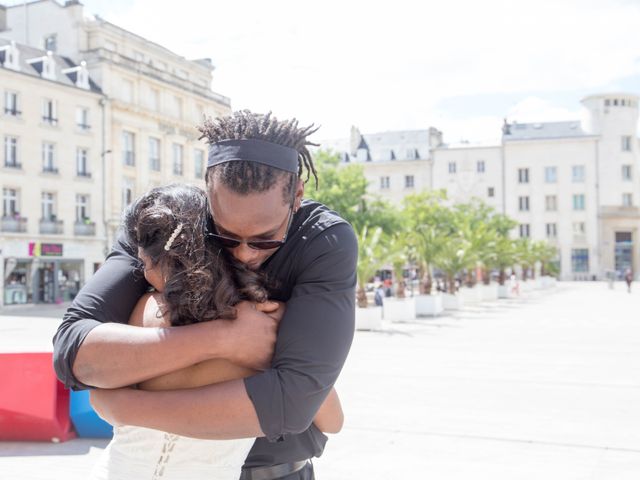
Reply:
x=94 y=346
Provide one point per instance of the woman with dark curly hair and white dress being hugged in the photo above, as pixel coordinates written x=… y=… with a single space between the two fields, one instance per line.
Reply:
x=193 y=280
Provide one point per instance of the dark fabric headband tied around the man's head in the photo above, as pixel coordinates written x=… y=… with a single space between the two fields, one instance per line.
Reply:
x=260 y=151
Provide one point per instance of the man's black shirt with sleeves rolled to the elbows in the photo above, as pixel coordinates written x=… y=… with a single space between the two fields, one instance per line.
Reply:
x=313 y=272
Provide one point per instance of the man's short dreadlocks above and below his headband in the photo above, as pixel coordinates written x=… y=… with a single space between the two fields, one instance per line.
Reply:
x=244 y=176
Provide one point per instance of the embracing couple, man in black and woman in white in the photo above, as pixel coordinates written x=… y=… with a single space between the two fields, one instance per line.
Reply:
x=245 y=294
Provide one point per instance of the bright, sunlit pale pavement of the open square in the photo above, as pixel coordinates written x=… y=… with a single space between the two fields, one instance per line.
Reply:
x=542 y=387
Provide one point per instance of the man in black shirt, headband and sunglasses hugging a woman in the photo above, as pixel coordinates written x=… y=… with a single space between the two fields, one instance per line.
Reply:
x=308 y=255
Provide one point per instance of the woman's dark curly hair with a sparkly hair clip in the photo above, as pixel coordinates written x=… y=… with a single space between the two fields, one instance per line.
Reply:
x=203 y=281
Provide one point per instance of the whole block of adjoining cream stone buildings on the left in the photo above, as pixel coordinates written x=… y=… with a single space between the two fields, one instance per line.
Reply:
x=133 y=128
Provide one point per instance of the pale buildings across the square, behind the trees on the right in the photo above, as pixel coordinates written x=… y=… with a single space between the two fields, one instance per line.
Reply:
x=575 y=184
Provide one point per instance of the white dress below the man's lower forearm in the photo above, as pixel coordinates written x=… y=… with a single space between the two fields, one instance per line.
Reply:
x=142 y=453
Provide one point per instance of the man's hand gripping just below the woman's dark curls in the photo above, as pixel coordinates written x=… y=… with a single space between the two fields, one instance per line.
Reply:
x=250 y=338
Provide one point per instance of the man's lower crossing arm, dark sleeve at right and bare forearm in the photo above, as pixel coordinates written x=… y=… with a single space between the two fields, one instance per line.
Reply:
x=313 y=341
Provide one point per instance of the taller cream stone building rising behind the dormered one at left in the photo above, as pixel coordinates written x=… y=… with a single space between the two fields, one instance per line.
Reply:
x=155 y=98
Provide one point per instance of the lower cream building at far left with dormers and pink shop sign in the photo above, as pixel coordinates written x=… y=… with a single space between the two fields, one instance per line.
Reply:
x=52 y=229
